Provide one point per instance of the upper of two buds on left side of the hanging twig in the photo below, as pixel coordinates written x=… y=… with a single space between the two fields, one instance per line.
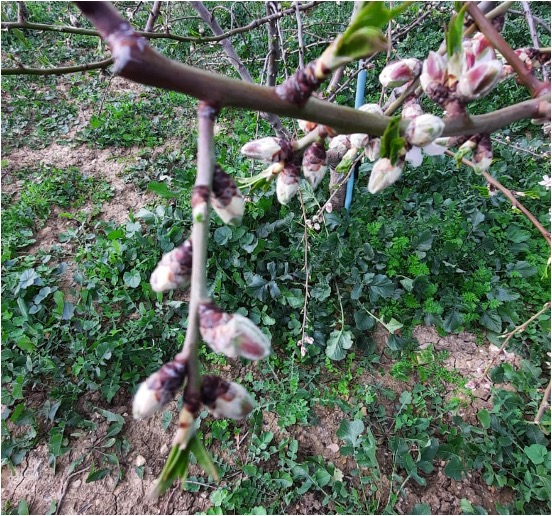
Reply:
x=174 y=270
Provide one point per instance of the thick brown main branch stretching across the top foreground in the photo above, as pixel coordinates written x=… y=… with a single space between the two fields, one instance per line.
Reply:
x=137 y=61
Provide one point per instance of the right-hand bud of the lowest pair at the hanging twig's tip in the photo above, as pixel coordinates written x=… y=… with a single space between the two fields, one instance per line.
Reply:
x=225 y=399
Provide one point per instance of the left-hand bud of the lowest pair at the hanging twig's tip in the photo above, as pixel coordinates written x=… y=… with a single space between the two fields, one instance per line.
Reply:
x=159 y=389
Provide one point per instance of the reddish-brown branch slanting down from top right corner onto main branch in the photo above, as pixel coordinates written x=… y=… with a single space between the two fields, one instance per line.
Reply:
x=525 y=76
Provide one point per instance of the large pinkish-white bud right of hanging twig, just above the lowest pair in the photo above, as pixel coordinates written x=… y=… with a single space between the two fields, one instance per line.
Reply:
x=232 y=335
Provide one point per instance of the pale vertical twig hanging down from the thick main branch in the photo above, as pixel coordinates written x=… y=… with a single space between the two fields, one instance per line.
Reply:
x=200 y=232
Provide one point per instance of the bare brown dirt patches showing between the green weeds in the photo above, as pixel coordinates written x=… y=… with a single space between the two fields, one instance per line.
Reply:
x=35 y=481
